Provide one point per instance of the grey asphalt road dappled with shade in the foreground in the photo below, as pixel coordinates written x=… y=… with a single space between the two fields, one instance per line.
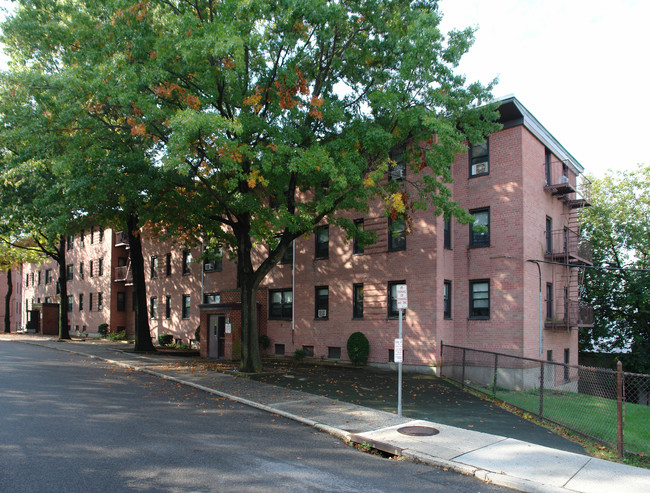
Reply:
x=72 y=424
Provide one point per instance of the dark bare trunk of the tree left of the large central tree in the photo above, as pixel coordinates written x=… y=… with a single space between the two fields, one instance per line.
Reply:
x=142 y=331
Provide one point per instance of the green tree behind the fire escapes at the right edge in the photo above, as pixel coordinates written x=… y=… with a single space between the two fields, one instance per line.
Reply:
x=619 y=289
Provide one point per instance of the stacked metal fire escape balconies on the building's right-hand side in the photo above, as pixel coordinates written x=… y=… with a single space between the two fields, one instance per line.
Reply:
x=568 y=249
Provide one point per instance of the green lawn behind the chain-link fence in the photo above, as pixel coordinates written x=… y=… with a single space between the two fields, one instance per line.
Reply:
x=593 y=416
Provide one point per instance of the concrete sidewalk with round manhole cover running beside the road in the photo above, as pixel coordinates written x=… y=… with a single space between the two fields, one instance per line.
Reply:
x=493 y=458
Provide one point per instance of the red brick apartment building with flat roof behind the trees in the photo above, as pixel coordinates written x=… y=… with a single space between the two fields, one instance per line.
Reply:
x=511 y=287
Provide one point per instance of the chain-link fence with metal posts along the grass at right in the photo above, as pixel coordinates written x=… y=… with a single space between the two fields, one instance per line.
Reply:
x=612 y=407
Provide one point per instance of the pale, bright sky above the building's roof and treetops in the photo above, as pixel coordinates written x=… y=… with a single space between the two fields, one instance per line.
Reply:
x=579 y=66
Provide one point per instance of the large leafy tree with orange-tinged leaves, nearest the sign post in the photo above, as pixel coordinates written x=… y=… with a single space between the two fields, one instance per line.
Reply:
x=270 y=117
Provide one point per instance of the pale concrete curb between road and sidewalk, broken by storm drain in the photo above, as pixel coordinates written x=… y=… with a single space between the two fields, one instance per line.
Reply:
x=491 y=477
